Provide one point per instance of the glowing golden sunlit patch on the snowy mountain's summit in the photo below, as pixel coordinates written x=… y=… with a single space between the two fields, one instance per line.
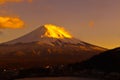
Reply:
x=54 y=31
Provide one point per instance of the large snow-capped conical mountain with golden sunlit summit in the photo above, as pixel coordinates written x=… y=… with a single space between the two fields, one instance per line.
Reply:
x=49 y=44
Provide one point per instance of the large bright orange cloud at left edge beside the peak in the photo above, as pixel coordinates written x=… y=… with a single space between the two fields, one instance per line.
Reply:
x=11 y=22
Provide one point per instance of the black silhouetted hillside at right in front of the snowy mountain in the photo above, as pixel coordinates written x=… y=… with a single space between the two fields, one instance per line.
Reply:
x=106 y=61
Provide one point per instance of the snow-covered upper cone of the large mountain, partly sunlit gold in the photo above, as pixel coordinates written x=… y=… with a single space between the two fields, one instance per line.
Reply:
x=45 y=33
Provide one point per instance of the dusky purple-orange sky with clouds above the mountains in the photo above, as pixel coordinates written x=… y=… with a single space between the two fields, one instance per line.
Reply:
x=93 y=21
